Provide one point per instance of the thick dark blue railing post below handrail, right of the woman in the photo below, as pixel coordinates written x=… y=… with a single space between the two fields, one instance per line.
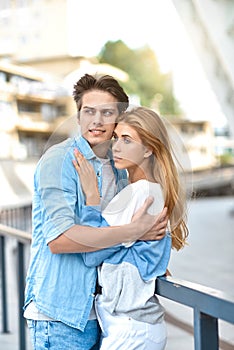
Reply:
x=205 y=331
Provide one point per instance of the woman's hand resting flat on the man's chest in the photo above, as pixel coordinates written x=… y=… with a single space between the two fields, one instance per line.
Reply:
x=88 y=178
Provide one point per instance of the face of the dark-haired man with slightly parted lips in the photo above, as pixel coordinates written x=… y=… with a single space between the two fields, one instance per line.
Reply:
x=97 y=116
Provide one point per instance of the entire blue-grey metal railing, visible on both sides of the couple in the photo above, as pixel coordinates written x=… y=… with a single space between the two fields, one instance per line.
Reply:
x=209 y=305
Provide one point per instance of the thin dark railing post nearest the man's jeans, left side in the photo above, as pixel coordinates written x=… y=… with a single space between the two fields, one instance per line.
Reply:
x=22 y=337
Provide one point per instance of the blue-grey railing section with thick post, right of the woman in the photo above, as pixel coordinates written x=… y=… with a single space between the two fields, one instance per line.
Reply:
x=209 y=305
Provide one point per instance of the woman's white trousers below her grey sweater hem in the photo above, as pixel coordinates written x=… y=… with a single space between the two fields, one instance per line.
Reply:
x=125 y=333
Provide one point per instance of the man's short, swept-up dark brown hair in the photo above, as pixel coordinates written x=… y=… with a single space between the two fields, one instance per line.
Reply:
x=104 y=83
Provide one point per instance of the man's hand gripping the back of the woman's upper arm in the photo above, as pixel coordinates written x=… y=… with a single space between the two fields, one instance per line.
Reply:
x=158 y=231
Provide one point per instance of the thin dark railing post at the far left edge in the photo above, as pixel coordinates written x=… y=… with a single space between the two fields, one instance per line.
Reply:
x=3 y=286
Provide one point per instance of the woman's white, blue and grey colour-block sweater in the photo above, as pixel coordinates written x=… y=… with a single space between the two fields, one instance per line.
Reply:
x=127 y=274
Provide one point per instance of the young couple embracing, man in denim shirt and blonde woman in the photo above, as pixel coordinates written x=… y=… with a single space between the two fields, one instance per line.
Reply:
x=74 y=226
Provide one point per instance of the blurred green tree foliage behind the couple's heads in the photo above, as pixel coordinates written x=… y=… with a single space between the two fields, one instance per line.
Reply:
x=145 y=79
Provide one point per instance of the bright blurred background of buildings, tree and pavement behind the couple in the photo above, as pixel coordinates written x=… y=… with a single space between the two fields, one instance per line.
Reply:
x=174 y=56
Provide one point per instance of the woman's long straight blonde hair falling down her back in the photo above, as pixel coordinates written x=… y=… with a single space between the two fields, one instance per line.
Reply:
x=153 y=134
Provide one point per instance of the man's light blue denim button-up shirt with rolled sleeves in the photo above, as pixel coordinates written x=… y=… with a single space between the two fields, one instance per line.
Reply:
x=61 y=285
